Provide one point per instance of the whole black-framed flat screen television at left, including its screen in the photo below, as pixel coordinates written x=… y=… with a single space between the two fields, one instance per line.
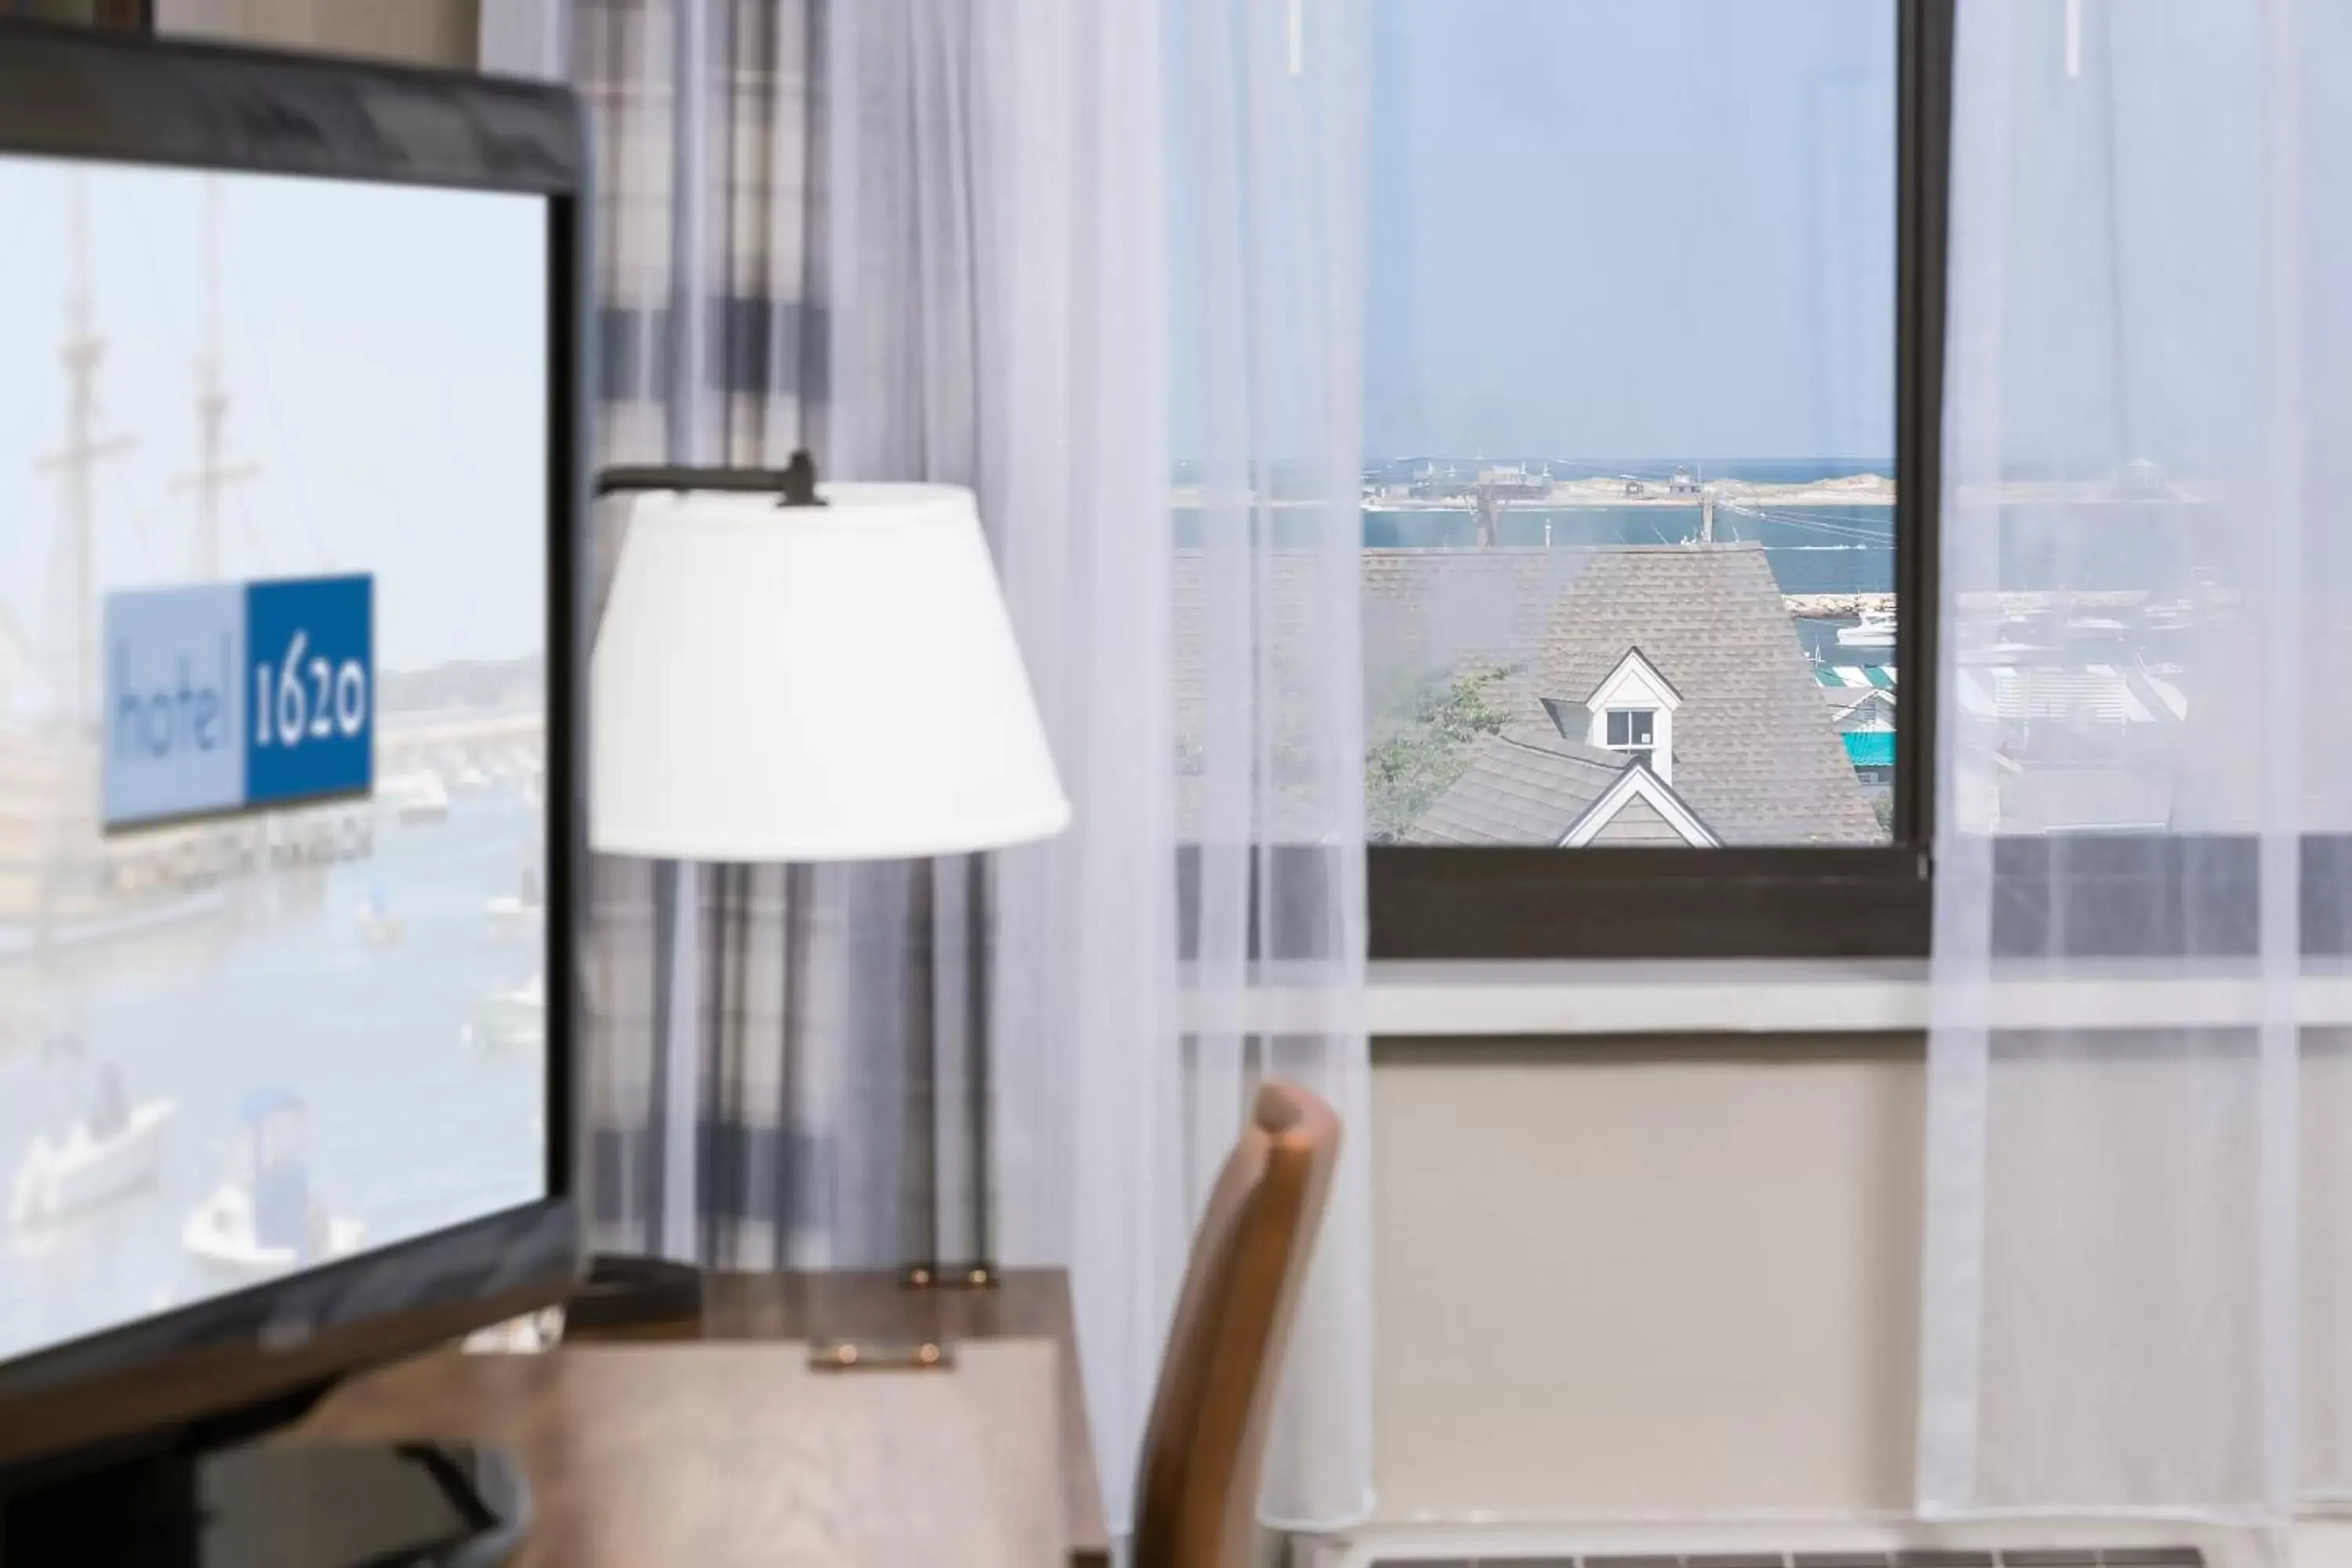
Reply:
x=290 y=737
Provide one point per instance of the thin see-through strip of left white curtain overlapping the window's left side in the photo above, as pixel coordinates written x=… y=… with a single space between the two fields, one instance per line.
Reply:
x=1267 y=375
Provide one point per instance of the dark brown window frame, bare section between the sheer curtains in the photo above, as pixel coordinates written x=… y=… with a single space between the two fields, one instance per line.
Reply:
x=1753 y=902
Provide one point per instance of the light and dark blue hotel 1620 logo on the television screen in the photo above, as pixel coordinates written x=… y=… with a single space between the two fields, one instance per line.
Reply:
x=239 y=695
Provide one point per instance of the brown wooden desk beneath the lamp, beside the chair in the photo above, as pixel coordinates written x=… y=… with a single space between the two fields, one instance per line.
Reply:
x=728 y=1449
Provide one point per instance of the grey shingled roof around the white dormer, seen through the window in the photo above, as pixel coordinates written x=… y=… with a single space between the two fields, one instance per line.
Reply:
x=1756 y=751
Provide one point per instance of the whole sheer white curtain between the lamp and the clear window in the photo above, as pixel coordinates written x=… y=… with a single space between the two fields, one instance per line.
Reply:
x=1114 y=250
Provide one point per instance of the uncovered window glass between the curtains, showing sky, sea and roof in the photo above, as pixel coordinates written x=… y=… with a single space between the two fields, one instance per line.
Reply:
x=1629 y=417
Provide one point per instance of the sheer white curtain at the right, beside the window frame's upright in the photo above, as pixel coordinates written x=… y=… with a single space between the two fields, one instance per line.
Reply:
x=2139 y=1205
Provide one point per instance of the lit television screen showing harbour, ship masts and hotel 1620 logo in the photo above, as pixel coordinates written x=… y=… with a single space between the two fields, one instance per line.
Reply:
x=274 y=728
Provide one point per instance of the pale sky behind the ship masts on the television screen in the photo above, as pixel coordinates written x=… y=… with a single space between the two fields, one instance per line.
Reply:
x=387 y=375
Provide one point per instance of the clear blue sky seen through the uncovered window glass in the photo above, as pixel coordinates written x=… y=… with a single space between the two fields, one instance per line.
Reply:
x=1631 y=232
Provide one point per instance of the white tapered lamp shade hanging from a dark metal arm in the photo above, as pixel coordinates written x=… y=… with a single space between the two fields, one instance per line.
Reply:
x=827 y=683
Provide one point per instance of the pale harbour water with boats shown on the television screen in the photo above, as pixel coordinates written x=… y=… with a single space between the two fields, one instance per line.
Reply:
x=410 y=1130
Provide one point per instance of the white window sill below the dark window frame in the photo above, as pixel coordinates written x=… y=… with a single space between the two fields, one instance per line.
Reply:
x=1629 y=998
